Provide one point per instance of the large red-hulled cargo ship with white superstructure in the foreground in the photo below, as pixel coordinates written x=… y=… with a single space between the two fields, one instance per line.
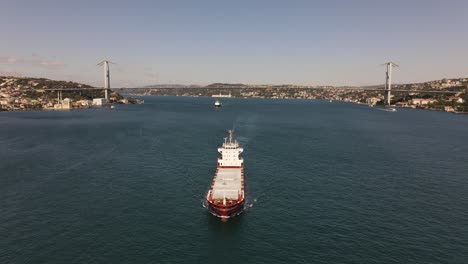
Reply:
x=226 y=196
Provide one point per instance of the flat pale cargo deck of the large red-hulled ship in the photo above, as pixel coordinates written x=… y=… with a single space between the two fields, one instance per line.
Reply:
x=227 y=183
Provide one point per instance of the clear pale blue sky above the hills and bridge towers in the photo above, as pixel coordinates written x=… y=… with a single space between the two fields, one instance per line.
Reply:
x=333 y=42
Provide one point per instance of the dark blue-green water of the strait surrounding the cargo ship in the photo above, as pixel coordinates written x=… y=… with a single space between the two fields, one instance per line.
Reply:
x=326 y=182
